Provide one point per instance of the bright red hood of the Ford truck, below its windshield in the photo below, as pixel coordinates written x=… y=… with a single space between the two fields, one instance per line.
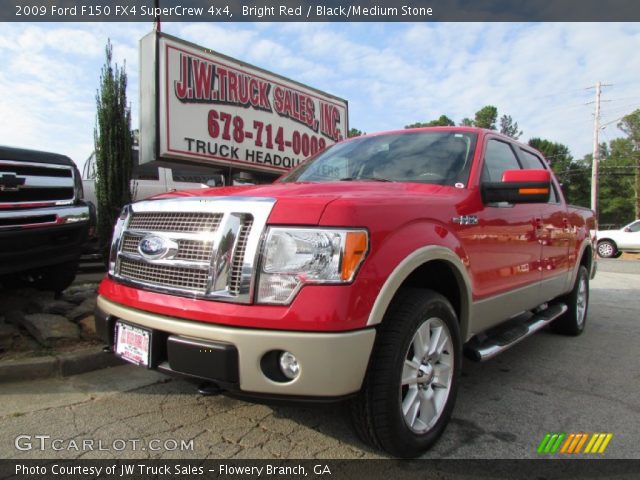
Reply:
x=305 y=203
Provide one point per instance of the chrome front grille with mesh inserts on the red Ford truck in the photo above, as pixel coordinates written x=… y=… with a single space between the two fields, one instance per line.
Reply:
x=208 y=246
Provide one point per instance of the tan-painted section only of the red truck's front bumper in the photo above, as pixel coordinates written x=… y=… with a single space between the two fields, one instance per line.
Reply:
x=331 y=364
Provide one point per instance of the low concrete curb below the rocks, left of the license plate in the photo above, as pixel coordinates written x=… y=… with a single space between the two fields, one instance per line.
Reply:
x=60 y=365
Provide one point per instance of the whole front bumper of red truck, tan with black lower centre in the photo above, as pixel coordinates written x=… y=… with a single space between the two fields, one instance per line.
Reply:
x=331 y=364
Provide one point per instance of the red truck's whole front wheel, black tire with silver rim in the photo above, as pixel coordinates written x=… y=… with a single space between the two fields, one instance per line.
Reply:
x=411 y=384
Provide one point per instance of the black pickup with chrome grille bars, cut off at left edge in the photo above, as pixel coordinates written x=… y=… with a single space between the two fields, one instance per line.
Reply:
x=44 y=220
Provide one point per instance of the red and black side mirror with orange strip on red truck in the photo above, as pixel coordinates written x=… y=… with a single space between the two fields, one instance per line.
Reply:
x=519 y=186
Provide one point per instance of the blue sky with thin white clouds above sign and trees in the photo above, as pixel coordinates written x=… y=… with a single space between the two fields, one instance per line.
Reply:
x=392 y=74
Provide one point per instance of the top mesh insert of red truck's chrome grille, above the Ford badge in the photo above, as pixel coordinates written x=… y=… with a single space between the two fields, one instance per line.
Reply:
x=175 y=222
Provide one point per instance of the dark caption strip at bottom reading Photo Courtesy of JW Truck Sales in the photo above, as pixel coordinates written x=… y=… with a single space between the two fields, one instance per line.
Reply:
x=318 y=469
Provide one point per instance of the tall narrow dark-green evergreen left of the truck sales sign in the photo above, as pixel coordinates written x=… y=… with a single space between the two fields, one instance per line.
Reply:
x=113 y=142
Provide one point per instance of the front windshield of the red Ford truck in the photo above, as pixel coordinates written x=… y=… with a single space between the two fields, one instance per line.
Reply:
x=442 y=158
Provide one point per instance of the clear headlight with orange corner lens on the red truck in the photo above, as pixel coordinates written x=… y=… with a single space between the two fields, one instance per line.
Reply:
x=293 y=257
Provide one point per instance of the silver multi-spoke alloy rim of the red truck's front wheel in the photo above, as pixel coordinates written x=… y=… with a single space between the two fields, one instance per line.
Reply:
x=427 y=375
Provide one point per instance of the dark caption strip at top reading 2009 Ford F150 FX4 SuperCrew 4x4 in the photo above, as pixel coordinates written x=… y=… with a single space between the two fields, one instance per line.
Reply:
x=320 y=11
